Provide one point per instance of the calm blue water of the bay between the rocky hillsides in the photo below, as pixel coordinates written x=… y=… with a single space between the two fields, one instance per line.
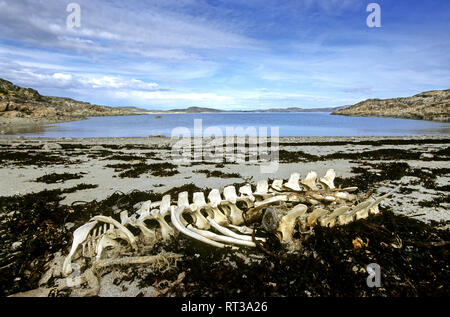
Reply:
x=290 y=124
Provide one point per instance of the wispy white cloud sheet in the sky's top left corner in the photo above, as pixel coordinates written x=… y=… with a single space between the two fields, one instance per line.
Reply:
x=140 y=29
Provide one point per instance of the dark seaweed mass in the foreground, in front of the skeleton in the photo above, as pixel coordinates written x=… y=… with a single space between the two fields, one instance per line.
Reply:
x=327 y=265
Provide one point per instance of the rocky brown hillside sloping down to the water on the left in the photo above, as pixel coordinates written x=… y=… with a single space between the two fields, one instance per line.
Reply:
x=17 y=102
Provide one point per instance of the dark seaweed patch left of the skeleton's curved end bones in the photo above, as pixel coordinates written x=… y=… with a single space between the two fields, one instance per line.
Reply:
x=37 y=221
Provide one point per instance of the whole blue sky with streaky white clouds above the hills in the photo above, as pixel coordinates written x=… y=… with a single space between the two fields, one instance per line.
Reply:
x=226 y=54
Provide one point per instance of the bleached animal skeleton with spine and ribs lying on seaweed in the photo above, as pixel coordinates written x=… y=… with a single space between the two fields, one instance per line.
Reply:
x=283 y=207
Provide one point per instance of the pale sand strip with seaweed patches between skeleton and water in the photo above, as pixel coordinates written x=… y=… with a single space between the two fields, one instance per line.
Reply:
x=424 y=179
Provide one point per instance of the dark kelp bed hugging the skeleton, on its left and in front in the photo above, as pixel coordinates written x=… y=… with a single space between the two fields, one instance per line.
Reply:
x=413 y=255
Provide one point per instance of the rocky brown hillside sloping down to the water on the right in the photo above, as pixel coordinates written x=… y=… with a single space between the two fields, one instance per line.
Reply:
x=431 y=105
